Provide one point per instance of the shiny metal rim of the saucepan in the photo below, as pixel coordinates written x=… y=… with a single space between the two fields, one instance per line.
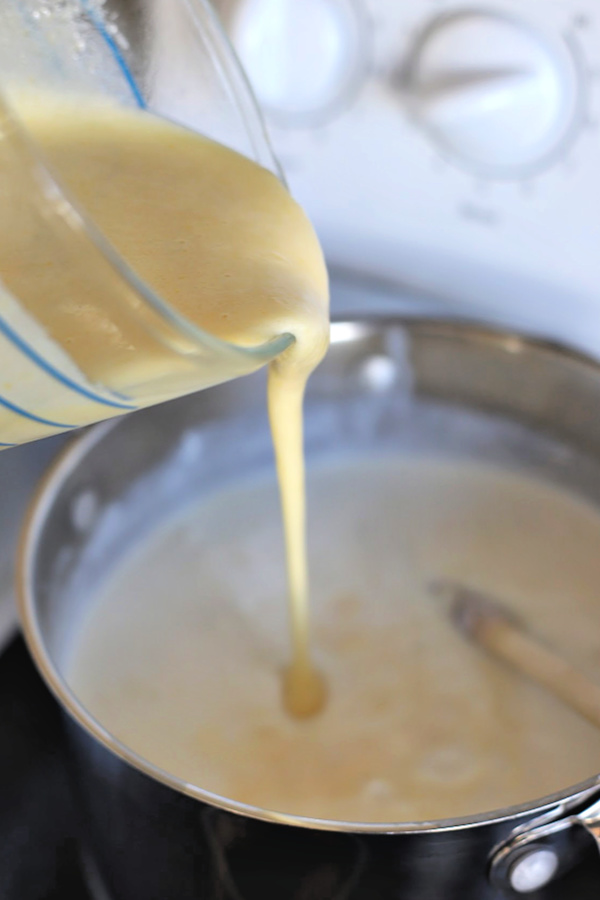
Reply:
x=77 y=449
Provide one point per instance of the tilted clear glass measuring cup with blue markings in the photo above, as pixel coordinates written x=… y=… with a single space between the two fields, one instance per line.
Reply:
x=172 y=58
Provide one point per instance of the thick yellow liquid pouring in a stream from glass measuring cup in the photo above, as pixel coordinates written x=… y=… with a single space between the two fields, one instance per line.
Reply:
x=221 y=241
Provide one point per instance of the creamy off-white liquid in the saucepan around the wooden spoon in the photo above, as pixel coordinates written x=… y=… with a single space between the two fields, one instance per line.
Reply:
x=181 y=654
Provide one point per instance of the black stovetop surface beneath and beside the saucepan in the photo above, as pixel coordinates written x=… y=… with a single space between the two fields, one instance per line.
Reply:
x=39 y=849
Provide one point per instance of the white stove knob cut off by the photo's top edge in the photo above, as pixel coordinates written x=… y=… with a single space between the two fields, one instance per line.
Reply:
x=302 y=56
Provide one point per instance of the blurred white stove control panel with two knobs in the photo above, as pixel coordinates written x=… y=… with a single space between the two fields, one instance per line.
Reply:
x=452 y=148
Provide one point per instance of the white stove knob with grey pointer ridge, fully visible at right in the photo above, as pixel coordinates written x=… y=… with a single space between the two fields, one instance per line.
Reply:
x=492 y=91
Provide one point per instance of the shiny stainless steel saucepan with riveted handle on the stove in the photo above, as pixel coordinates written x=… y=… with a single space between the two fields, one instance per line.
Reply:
x=405 y=385
